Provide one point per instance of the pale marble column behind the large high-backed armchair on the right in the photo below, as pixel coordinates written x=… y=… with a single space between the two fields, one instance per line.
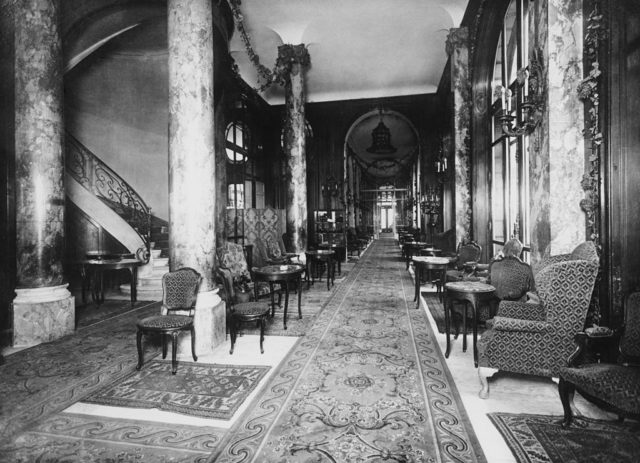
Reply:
x=557 y=157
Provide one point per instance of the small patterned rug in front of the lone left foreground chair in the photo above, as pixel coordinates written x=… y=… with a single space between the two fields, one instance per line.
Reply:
x=209 y=391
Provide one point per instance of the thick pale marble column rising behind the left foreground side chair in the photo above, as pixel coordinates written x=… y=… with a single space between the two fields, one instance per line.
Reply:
x=192 y=161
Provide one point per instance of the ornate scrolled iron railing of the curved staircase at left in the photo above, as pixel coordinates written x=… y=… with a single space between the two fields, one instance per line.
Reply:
x=97 y=177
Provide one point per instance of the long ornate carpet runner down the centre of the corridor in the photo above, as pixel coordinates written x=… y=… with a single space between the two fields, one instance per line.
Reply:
x=368 y=383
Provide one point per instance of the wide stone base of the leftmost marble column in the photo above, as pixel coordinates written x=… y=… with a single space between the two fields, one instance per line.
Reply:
x=42 y=315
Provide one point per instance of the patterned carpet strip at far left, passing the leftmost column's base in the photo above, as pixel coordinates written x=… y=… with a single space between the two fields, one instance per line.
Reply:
x=42 y=380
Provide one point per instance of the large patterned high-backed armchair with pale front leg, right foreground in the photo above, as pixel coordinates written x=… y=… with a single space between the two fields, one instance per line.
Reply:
x=537 y=338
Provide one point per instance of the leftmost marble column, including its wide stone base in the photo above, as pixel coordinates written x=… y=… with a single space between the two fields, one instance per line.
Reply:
x=43 y=309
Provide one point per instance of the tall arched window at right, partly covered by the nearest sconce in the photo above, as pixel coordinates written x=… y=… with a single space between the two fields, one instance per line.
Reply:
x=510 y=155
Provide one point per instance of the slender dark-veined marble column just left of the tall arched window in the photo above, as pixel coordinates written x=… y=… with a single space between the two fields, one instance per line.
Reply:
x=458 y=49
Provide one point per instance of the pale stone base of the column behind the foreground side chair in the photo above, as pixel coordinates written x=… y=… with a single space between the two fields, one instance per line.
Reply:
x=210 y=323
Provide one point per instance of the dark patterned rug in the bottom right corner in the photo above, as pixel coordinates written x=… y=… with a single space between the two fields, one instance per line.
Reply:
x=540 y=438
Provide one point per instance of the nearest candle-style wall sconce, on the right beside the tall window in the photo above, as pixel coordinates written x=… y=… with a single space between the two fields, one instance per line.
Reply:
x=533 y=104
